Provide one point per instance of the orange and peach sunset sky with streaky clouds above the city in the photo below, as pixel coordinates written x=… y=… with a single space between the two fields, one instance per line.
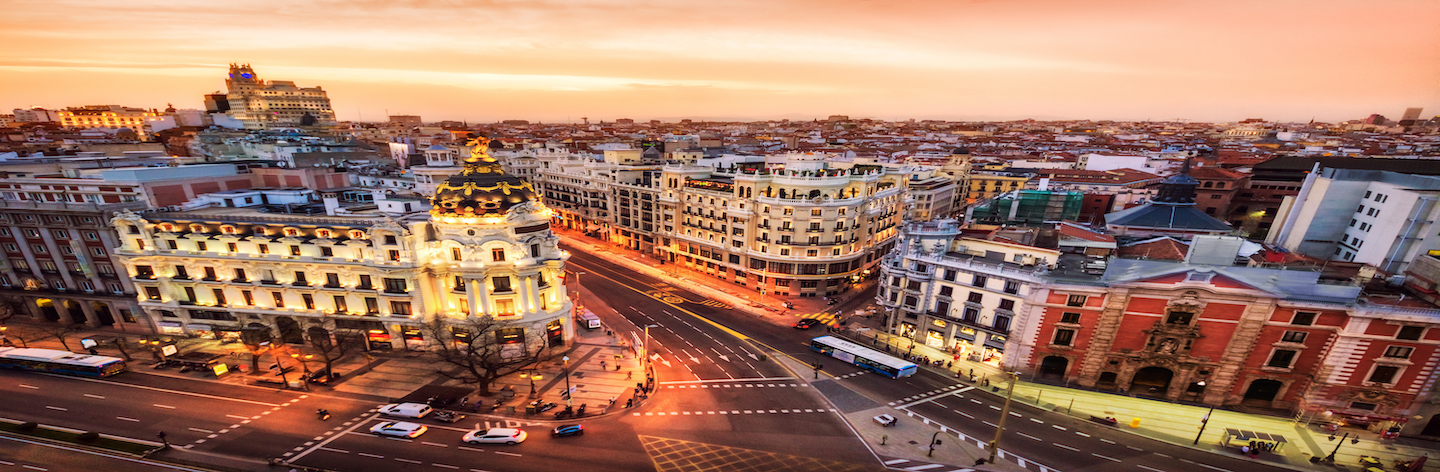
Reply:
x=765 y=60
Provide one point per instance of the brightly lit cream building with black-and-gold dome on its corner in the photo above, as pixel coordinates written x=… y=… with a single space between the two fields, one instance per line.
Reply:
x=486 y=250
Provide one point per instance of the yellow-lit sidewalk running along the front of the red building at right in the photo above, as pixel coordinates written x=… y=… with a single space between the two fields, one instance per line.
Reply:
x=1170 y=422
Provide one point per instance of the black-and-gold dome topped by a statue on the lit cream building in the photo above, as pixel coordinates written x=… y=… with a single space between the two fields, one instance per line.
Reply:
x=482 y=189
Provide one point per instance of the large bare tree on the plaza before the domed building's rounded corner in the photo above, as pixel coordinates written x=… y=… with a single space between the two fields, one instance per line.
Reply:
x=477 y=355
